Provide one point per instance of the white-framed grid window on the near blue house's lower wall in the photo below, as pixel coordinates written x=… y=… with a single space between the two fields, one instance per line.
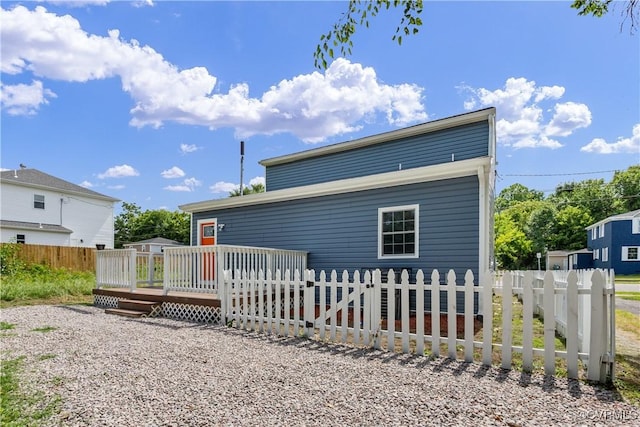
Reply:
x=398 y=232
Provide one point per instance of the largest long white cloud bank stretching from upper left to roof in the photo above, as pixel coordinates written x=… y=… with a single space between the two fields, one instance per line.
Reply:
x=311 y=106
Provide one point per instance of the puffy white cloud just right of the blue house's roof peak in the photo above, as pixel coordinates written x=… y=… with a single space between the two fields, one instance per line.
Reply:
x=520 y=113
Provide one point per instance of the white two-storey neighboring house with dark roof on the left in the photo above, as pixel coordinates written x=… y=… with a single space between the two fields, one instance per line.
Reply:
x=37 y=208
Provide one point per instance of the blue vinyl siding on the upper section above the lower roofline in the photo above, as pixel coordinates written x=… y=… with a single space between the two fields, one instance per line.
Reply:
x=464 y=142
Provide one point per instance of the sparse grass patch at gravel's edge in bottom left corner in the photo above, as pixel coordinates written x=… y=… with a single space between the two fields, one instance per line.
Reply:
x=17 y=407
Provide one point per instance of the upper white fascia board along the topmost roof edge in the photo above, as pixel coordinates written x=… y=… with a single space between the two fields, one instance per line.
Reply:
x=422 y=129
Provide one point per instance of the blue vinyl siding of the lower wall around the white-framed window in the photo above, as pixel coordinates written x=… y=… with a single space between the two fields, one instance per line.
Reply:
x=341 y=231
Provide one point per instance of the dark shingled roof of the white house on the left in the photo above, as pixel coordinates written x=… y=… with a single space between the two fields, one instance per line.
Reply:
x=37 y=179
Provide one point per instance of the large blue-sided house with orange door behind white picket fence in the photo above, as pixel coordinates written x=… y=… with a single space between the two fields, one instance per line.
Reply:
x=414 y=198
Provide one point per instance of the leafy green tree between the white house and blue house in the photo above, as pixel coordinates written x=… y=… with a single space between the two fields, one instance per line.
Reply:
x=133 y=225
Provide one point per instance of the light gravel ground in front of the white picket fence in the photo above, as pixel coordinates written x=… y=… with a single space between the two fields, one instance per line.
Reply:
x=113 y=371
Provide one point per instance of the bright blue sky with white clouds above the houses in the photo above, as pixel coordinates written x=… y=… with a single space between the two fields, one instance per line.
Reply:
x=146 y=101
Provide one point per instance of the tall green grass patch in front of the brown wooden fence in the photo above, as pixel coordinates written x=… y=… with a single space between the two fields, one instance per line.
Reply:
x=39 y=284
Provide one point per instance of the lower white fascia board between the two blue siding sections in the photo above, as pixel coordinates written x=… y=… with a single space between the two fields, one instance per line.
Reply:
x=438 y=172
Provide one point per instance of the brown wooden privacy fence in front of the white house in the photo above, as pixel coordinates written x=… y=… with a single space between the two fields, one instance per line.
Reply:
x=71 y=257
